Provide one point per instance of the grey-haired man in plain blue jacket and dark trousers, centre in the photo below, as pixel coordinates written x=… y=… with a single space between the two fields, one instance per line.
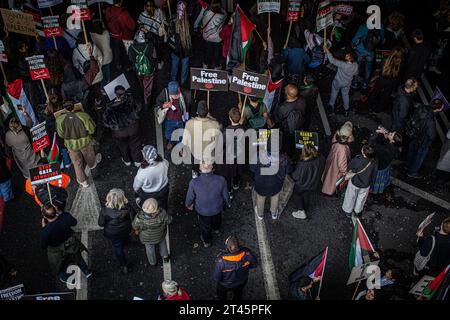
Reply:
x=208 y=194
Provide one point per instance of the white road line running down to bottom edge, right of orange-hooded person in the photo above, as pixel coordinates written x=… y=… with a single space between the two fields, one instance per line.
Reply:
x=268 y=268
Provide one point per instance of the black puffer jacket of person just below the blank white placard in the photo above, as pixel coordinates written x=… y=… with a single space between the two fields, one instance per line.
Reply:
x=120 y=115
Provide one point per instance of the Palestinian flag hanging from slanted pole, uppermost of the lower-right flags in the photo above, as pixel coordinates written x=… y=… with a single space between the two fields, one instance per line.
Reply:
x=361 y=246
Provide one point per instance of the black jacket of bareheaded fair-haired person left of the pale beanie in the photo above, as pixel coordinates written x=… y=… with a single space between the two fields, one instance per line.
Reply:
x=116 y=223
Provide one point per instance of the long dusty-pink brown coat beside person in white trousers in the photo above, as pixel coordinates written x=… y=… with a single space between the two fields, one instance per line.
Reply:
x=335 y=167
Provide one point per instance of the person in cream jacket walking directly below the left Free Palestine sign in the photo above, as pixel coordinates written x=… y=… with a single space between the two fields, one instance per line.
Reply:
x=199 y=134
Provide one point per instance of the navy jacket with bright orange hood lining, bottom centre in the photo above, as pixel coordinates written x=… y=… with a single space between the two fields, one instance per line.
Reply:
x=232 y=269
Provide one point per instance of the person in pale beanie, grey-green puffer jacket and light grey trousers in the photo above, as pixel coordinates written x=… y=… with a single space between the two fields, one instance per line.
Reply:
x=151 y=226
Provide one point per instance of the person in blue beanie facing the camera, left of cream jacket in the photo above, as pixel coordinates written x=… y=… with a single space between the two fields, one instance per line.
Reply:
x=173 y=103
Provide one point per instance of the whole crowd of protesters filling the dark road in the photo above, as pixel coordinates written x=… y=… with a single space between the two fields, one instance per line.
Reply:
x=160 y=39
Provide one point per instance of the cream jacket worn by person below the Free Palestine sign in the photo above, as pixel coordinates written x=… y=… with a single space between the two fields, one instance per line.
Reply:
x=200 y=136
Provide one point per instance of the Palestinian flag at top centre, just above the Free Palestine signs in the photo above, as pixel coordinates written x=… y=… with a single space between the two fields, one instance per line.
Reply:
x=241 y=36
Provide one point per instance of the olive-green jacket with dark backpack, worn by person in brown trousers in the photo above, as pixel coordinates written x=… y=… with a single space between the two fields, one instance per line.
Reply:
x=76 y=129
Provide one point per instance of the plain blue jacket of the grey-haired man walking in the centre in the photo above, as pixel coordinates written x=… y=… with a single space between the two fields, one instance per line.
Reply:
x=209 y=194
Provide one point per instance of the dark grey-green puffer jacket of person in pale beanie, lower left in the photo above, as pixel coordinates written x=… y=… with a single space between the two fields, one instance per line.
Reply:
x=152 y=230
